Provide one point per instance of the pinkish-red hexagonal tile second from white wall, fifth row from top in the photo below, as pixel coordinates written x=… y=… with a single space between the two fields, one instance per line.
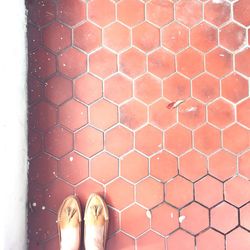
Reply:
x=73 y=115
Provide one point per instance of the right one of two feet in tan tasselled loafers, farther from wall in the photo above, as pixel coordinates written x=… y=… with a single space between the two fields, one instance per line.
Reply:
x=96 y=220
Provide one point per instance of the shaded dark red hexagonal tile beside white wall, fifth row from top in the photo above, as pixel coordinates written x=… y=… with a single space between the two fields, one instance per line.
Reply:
x=42 y=116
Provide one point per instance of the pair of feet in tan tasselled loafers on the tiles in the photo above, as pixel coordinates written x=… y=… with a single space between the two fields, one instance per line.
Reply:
x=69 y=222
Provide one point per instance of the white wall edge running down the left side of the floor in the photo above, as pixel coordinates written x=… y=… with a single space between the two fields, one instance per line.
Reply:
x=13 y=128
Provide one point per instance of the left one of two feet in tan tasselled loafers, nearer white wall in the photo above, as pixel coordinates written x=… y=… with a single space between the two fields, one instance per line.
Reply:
x=69 y=224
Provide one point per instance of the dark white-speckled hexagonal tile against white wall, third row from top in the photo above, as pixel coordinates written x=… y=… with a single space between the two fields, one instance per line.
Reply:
x=42 y=63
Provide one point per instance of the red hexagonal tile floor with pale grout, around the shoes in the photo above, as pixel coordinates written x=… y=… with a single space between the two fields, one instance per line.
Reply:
x=145 y=102
